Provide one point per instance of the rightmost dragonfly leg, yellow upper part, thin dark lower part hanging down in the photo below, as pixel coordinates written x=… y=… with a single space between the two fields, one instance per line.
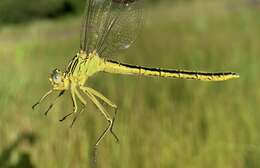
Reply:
x=106 y=100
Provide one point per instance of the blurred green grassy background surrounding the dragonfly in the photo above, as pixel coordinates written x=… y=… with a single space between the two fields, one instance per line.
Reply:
x=164 y=123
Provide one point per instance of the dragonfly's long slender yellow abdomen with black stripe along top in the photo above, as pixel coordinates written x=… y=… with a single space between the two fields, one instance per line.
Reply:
x=119 y=68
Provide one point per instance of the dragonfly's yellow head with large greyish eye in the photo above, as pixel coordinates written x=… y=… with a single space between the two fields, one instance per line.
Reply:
x=59 y=80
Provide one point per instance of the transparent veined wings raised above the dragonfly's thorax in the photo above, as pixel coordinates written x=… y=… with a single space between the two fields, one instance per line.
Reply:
x=110 y=25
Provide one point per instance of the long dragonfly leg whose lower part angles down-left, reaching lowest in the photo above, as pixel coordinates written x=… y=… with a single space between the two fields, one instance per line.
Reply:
x=107 y=116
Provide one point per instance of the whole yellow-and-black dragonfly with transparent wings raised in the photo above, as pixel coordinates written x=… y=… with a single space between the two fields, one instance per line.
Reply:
x=109 y=26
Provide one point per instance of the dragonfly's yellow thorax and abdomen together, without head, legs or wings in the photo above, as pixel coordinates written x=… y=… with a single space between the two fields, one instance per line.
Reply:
x=87 y=66
